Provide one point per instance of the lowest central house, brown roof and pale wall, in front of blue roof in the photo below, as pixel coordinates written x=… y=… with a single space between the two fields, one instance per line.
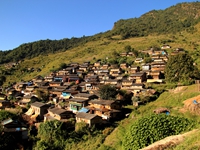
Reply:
x=90 y=119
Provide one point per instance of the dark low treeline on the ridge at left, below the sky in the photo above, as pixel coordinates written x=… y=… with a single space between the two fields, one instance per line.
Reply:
x=43 y=47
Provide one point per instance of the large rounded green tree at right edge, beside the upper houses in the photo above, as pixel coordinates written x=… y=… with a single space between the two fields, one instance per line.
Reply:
x=180 y=68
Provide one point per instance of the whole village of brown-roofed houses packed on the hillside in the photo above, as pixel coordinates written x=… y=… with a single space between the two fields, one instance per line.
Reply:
x=73 y=91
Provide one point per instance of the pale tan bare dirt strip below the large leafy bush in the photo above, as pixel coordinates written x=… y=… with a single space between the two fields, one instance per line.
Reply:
x=168 y=141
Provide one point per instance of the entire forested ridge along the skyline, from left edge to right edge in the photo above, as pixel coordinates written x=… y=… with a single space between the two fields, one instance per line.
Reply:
x=181 y=17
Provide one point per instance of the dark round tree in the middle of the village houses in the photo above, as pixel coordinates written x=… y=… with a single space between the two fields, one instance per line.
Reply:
x=107 y=92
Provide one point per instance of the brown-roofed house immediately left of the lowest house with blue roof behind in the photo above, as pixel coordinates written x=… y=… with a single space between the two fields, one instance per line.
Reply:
x=58 y=114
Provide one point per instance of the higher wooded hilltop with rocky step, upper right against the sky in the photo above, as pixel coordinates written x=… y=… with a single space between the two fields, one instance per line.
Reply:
x=174 y=19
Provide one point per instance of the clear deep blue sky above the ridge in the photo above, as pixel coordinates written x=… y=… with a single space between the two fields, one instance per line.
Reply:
x=23 y=21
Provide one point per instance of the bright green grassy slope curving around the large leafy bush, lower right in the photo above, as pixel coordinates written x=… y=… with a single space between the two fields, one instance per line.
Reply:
x=170 y=99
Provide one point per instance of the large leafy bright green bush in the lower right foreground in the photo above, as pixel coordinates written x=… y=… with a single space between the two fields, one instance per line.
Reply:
x=147 y=130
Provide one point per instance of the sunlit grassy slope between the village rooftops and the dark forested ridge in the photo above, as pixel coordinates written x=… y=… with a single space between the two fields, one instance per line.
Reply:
x=102 y=48
